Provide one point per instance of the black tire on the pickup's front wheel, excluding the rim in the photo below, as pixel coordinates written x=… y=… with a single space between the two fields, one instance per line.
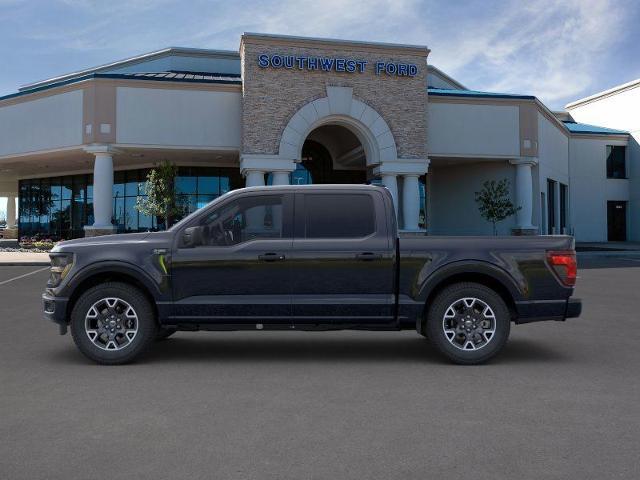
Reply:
x=147 y=327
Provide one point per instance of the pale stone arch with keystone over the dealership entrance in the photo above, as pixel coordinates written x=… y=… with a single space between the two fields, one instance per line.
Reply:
x=340 y=108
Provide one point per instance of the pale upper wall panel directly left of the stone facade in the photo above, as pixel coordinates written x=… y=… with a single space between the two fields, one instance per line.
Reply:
x=189 y=118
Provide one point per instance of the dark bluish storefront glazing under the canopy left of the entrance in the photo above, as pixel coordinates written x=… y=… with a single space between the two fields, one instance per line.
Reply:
x=59 y=207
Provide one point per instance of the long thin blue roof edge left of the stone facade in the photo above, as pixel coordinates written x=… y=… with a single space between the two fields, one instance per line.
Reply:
x=224 y=78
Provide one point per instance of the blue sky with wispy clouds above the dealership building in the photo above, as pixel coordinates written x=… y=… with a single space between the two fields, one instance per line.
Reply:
x=557 y=50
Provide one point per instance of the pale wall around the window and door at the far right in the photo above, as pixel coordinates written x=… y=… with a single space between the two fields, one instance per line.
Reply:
x=590 y=189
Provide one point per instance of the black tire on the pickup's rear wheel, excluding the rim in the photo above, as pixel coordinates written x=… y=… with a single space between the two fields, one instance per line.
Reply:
x=456 y=348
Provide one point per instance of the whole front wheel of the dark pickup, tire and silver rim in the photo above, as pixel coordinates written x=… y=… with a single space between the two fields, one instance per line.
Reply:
x=113 y=323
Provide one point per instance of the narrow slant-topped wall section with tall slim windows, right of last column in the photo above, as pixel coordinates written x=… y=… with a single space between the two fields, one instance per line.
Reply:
x=553 y=163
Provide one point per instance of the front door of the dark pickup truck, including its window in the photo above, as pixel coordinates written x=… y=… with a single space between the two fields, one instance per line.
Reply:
x=239 y=273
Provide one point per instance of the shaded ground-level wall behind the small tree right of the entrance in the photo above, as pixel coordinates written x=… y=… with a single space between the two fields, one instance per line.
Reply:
x=451 y=198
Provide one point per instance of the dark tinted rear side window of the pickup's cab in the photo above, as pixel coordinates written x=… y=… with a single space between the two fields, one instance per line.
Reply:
x=339 y=216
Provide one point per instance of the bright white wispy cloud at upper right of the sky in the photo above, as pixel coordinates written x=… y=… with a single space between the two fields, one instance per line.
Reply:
x=550 y=49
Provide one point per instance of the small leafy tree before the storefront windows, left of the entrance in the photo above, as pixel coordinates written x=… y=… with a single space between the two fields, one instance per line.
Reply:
x=161 y=199
